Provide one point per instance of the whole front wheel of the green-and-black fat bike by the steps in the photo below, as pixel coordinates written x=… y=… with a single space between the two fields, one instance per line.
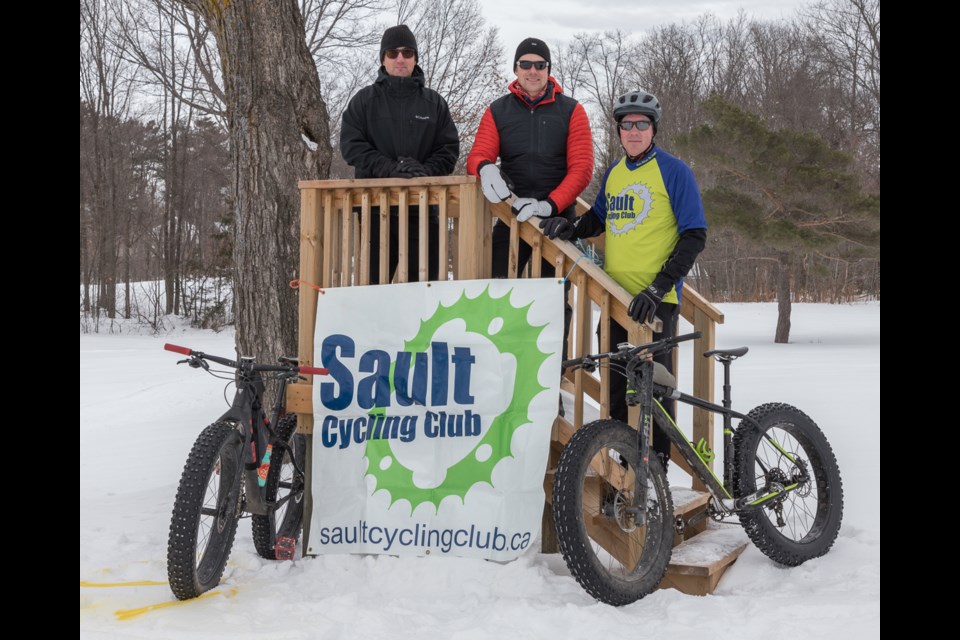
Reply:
x=615 y=559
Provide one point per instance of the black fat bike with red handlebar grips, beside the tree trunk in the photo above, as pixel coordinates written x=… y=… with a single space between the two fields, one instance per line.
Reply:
x=244 y=463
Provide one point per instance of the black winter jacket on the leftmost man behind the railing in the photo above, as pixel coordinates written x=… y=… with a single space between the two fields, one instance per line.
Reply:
x=397 y=117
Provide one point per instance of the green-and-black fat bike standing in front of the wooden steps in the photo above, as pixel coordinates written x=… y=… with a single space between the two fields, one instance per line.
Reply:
x=780 y=478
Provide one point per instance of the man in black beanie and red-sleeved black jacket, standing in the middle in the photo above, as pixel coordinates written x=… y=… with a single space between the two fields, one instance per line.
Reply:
x=543 y=140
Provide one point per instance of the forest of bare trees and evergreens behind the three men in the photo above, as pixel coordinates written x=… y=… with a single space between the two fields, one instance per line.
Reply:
x=779 y=119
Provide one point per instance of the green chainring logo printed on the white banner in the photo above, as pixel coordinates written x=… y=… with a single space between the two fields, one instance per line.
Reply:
x=507 y=328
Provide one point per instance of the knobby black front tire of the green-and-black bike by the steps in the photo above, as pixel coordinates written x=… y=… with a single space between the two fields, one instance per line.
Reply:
x=599 y=574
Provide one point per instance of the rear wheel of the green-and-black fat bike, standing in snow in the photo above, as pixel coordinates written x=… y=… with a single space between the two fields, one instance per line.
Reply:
x=788 y=448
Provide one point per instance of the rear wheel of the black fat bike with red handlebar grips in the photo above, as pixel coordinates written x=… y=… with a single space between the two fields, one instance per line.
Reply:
x=283 y=481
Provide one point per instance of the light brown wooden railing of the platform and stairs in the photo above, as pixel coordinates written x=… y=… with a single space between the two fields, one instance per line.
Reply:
x=335 y=251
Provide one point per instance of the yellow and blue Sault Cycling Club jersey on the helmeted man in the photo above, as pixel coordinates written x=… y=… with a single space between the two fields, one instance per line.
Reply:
x=645 y=207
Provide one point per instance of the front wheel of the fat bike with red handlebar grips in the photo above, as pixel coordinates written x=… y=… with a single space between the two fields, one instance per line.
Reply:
x=205 y=515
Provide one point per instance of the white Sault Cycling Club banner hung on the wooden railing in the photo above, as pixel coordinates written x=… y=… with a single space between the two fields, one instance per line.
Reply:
x=432 y=429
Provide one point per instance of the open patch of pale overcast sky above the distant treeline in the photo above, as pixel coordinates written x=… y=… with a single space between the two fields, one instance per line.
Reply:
x=557 y=21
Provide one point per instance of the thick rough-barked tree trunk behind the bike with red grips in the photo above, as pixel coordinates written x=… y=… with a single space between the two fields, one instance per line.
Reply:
x=279 y=134
